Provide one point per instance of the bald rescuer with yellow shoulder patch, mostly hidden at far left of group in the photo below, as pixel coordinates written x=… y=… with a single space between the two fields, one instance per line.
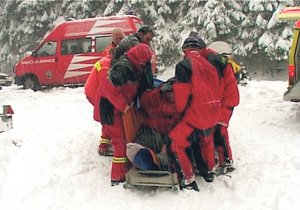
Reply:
x=91 y=87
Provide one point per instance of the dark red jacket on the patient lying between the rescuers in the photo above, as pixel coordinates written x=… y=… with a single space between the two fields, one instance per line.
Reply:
x=161 y=114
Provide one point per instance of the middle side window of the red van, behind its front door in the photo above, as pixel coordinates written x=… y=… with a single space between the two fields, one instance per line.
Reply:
x=76 y=46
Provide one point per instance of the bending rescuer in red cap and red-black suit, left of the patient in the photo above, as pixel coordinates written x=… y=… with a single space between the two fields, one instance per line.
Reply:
x=118 y=95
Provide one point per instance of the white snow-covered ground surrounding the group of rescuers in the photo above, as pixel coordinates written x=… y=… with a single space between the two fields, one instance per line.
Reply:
x=49 y=159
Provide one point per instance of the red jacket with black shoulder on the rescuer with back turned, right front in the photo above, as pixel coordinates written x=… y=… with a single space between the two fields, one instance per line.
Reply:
x=197 y=91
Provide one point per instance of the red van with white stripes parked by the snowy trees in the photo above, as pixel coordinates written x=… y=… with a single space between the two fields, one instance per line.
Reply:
x=67 y=54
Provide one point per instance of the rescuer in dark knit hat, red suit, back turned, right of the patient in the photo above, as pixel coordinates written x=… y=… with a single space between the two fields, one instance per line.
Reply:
x=196 y=96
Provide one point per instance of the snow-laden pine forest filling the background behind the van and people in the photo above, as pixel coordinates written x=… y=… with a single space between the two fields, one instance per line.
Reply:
x=250 y=27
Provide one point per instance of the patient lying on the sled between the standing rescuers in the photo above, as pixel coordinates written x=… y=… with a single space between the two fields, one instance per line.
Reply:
x=149 y=150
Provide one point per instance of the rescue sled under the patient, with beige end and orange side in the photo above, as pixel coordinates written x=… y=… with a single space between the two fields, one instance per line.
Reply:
x=148 y=178
